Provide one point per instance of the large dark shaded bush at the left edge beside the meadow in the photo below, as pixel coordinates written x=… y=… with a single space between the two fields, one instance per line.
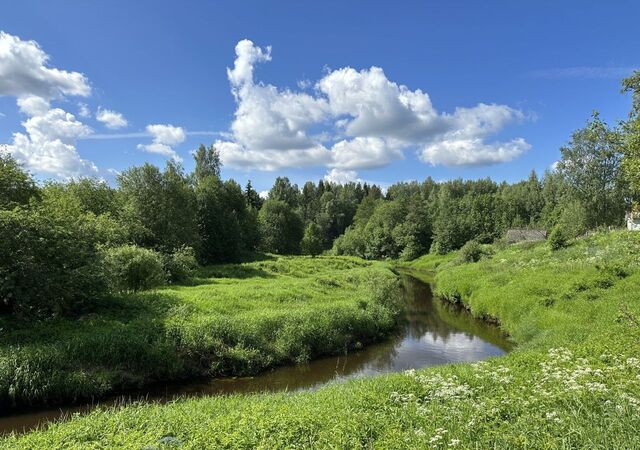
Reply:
x=46 y=265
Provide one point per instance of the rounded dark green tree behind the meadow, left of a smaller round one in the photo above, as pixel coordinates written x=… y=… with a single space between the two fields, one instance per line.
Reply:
x=281 y=229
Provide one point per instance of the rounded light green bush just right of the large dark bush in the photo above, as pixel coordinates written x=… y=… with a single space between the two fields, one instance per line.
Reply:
x=132 y=268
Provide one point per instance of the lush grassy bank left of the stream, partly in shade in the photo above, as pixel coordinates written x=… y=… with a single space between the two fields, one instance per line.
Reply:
x=235 y=320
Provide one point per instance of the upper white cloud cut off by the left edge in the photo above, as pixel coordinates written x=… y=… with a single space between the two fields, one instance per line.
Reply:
x=24 y=72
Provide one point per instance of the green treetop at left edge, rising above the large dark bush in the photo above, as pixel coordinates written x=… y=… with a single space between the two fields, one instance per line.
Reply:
x=16 y=185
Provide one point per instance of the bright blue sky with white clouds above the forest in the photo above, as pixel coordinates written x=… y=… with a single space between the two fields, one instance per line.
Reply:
x=464 y=89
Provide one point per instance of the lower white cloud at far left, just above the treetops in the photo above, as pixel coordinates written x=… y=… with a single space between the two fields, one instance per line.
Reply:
x=49 y=145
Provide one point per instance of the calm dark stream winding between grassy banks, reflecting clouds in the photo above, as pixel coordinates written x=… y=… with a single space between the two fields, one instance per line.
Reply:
x=434 y=332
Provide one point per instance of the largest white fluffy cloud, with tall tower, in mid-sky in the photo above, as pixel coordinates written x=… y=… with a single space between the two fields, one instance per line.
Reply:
x=354 y=120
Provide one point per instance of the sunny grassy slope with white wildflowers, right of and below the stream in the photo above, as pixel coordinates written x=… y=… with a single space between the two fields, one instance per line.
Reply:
x=573 y=383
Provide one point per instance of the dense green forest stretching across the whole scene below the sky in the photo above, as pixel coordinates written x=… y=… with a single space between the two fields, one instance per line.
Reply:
x=82 y=239
